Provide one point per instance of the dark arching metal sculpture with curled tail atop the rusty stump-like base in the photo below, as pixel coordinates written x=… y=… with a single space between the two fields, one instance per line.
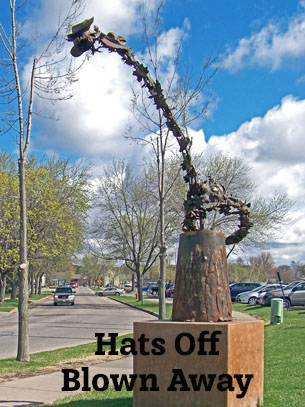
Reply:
x=202 y=196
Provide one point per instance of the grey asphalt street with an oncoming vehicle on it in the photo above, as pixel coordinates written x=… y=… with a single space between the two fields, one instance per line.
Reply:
x=65 y=325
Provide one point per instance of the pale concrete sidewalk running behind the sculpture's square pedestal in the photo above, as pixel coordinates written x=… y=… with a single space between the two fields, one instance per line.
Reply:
x=46 y=388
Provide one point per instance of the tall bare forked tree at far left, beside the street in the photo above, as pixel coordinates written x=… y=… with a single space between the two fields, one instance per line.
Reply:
x=45 y=80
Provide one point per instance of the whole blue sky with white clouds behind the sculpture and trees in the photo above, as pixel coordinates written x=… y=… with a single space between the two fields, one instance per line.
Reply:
x=256 y=99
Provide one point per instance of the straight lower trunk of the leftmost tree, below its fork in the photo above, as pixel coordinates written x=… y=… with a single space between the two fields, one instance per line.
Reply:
x=23 y=354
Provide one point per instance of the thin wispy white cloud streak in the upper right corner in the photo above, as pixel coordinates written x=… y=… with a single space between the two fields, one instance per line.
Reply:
x=270 y=47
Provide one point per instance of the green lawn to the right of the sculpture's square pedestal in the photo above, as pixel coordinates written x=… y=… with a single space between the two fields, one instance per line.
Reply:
x=284 y=356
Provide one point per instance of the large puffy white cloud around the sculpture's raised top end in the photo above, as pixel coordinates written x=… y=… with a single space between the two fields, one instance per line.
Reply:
x=93 y=123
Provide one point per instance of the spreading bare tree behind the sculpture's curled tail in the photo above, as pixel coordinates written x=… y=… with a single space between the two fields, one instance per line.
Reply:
x=267 y=216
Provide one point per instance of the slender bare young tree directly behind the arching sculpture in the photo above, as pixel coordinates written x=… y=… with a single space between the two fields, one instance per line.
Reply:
x=183 y=94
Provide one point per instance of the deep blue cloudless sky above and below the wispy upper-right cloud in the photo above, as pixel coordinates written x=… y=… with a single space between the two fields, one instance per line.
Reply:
x=218 y=26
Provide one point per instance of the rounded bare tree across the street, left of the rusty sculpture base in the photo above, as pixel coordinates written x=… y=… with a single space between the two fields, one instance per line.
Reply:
x=126 y=226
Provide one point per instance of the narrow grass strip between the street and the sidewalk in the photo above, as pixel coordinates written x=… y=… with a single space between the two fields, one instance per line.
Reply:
x=45 y=362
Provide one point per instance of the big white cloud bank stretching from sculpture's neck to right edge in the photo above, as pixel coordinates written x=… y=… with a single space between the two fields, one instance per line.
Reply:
x=273 y=145
